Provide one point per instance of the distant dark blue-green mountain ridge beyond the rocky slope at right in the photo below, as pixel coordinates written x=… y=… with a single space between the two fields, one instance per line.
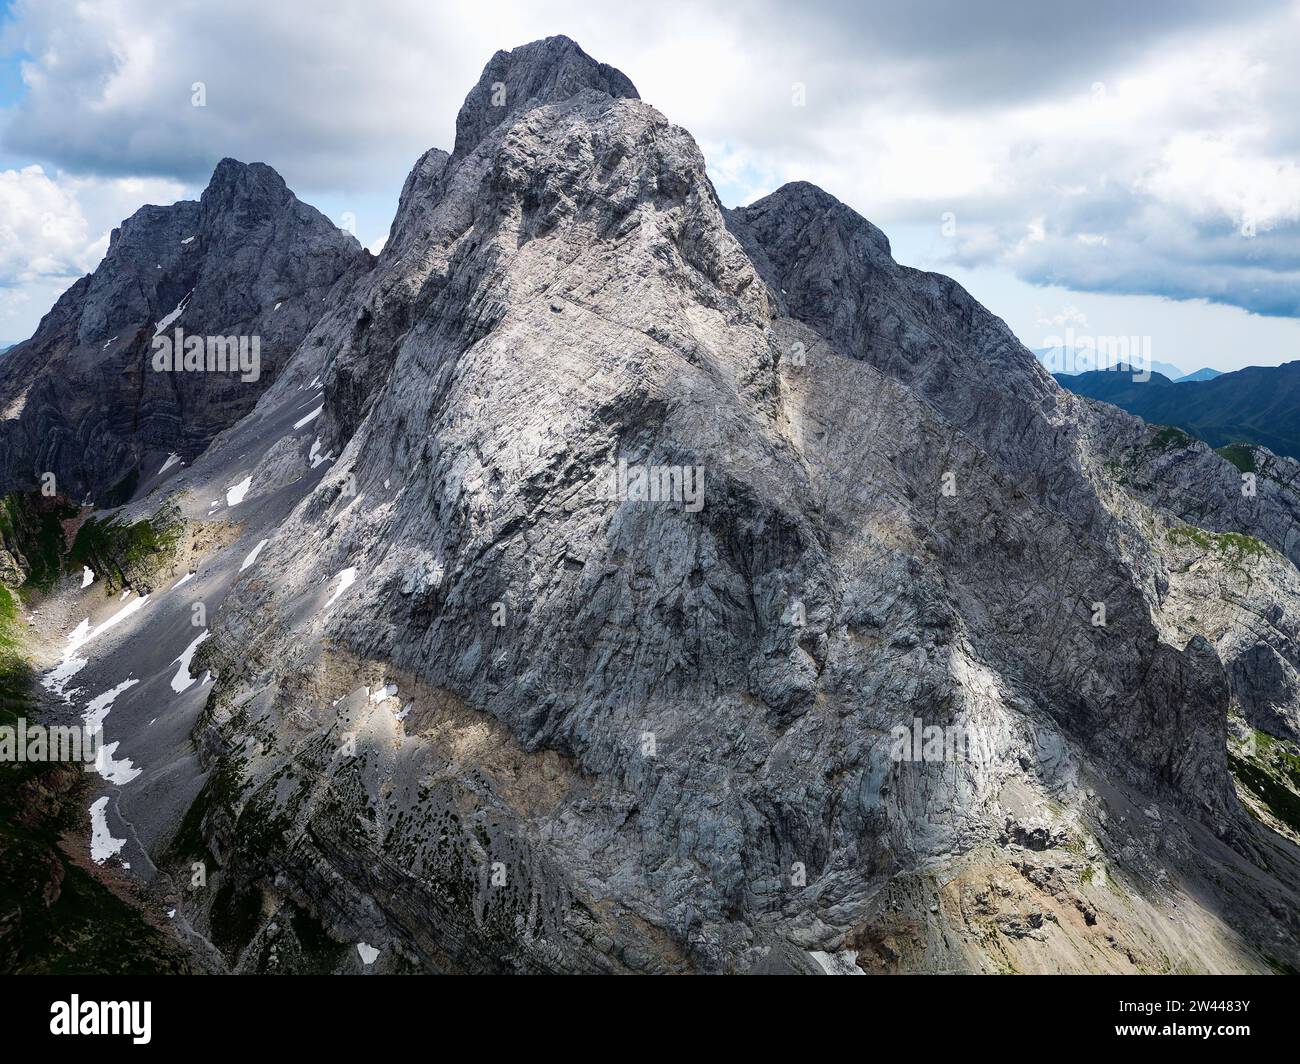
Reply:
x=1259 y=405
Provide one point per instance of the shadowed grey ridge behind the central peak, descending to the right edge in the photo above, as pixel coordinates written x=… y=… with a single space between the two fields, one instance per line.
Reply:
x=834 y=271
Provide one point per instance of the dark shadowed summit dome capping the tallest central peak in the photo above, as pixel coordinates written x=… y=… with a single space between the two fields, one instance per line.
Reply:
x=543 y=72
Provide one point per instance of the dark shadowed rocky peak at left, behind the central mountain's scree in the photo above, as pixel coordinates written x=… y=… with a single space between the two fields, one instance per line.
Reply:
x=83 y=399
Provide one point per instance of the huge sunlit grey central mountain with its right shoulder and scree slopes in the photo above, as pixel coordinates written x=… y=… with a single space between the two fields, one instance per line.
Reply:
x=612 y=582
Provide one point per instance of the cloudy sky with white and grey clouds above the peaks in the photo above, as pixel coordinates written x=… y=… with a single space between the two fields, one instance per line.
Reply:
x=1113 y=167
